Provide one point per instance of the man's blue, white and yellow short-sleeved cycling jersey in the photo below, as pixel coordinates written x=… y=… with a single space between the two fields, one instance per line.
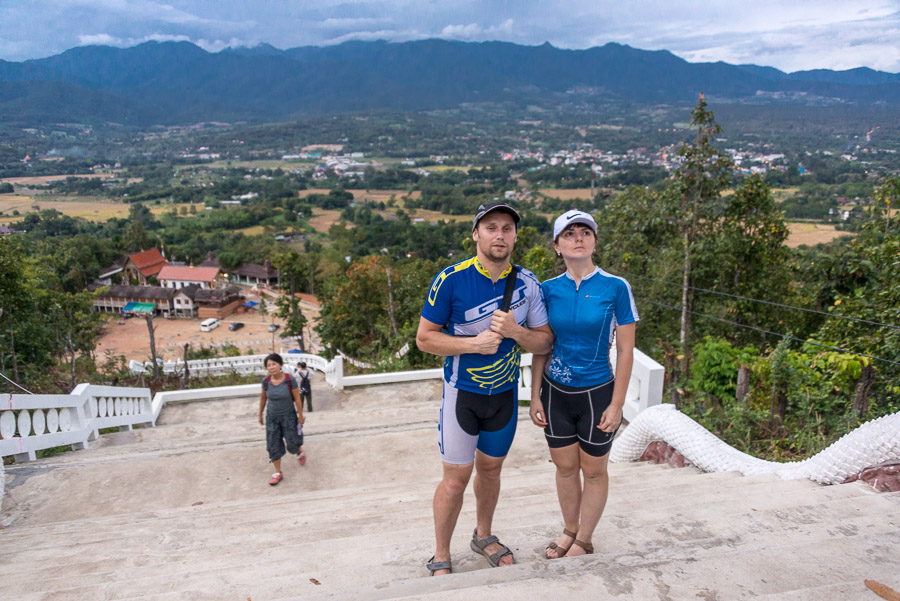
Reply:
x=462 y=299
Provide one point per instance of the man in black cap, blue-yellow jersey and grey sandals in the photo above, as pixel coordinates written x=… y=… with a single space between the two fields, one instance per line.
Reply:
x=462 y=320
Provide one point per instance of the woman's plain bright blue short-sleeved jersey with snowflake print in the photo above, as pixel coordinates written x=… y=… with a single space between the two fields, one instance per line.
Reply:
x=583 y=319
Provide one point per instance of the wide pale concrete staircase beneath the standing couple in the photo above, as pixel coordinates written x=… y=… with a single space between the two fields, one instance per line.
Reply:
x=183 y=512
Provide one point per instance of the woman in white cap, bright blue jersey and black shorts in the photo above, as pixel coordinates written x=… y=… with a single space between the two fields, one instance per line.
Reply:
x=575 y=396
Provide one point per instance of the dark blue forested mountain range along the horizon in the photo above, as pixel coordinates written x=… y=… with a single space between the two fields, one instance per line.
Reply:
x=177 y=82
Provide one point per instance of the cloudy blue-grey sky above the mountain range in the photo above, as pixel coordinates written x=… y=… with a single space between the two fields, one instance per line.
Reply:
x=791 y=35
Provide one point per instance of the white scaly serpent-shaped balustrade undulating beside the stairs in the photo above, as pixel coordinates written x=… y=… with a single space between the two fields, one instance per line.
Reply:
x=873 y=443
